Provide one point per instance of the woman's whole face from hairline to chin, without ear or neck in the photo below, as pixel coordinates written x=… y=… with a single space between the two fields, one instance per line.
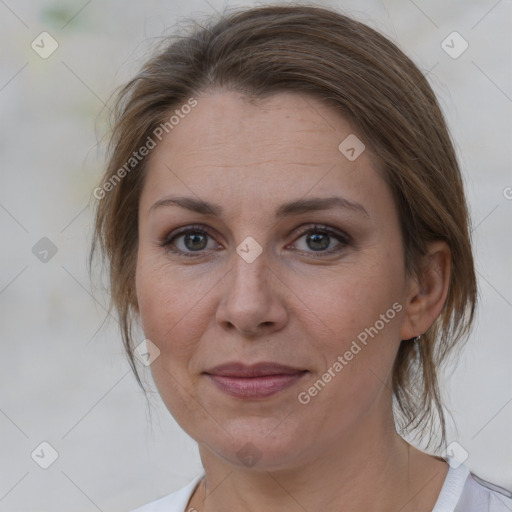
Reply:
x=262 y=241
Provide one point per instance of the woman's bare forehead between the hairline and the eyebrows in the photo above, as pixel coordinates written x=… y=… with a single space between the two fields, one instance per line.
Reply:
x=286 y=144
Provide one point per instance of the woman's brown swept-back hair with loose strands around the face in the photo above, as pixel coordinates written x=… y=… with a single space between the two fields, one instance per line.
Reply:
x=350 y=66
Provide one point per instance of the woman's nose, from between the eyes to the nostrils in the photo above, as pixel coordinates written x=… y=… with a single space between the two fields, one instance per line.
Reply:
x=251 y=302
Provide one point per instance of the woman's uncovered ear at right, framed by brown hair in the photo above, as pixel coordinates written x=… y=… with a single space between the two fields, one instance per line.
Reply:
x=427 y=292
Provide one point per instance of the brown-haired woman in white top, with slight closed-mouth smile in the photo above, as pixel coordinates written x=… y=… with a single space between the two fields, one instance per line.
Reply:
x=284 y=214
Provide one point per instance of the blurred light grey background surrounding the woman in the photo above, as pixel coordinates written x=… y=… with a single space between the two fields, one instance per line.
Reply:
x=63 y=375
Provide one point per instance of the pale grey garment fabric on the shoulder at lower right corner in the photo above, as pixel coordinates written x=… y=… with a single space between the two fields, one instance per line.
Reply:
x=479 y=494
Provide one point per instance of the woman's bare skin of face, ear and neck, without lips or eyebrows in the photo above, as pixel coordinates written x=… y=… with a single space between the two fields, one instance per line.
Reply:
x=291 y=305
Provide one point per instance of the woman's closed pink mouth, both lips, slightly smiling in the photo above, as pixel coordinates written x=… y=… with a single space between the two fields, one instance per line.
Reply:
x=254 y=381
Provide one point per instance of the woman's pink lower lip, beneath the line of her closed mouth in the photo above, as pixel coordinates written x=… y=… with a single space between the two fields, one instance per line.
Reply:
x=255 y=387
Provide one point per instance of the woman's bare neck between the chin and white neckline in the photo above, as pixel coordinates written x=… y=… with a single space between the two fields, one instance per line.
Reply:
x=371 y=468
